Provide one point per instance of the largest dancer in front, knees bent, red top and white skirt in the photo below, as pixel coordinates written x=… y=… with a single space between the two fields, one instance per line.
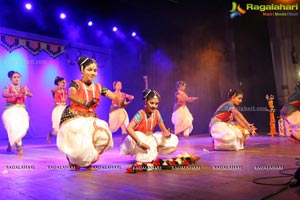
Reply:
x=82 y=136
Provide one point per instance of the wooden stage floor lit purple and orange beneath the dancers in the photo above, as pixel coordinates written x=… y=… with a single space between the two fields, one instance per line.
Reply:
x=219 y=175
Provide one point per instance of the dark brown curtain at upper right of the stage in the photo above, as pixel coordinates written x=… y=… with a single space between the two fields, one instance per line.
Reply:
x=284 y=35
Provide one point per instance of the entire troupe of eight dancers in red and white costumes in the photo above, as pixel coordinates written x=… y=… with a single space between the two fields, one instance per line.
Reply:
x=83 y=137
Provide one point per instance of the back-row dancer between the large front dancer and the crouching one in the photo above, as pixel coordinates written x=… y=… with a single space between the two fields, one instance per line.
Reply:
x=118 y=117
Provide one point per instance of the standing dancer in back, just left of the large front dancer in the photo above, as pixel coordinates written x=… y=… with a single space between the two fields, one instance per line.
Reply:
x=59 y=94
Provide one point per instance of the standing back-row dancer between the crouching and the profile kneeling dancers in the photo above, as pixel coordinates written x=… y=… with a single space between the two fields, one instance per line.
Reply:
x=181 y=117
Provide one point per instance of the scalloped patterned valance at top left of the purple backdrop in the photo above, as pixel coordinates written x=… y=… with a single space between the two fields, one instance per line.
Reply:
x=10 y=43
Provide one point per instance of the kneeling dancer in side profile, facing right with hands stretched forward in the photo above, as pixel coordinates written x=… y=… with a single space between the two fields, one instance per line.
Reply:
x=228 y=127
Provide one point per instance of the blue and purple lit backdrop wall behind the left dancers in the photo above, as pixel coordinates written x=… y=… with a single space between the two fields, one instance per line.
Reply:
x=39 y=71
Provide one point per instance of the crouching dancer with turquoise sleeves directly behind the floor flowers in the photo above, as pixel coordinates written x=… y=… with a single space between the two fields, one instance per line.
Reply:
x=141 y=141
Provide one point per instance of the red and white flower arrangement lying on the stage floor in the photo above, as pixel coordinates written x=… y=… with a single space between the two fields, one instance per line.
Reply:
x=182 y=160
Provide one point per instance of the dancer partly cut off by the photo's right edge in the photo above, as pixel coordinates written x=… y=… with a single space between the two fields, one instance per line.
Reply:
x=291 y=114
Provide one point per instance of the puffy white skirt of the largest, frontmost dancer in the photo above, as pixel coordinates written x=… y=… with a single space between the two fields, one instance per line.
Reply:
x=84 y=139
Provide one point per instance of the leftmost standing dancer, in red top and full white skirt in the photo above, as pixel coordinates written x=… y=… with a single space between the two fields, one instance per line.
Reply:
x=15 y=116
